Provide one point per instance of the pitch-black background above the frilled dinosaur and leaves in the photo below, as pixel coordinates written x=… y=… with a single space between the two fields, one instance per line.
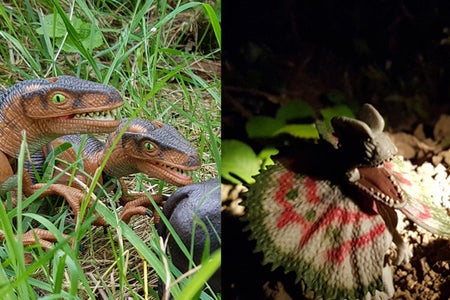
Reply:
x=393 y=54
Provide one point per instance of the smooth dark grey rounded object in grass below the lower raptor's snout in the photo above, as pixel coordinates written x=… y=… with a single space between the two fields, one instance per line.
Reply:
x=198 y=200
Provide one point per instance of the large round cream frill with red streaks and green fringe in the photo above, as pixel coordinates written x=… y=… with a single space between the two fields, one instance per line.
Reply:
x=309 y=226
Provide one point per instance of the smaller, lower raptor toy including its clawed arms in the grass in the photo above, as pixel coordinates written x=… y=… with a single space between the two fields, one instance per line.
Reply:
x=153 y=148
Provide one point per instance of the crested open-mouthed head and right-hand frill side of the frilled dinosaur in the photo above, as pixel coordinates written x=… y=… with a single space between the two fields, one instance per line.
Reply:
x=389 y=180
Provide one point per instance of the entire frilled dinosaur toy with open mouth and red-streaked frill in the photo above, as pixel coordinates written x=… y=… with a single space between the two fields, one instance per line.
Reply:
x=326 y=212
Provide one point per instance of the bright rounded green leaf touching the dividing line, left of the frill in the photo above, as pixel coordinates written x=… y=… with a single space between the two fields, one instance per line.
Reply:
x=238 y=161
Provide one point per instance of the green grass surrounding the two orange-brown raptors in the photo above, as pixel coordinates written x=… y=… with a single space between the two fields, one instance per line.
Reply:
x=161 y=57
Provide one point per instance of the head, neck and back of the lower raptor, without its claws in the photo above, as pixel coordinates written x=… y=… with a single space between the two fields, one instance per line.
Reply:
x=173 y=151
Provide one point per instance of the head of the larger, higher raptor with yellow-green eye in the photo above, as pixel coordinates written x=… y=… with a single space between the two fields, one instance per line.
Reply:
x=72 y=105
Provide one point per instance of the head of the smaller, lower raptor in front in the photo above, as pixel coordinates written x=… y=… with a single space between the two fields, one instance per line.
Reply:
x=157 y=150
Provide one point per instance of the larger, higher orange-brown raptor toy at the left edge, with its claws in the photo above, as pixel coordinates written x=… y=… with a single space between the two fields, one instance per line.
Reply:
x=46 y=109
